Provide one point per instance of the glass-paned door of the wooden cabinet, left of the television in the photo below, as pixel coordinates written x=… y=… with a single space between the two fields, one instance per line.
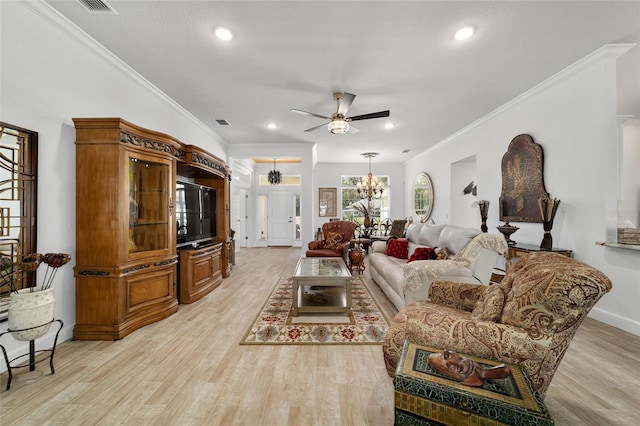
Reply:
x=150 y=201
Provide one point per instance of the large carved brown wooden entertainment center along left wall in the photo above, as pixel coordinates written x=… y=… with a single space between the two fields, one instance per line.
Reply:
x=126 y=257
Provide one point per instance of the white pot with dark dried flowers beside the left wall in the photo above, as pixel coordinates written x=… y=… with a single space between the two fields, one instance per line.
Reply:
x=31 y=308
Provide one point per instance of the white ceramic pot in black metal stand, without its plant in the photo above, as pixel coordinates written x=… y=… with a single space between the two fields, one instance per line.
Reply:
x=31 y=309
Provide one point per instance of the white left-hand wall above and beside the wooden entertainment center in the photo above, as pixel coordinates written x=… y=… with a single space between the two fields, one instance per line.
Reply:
x=50 y=73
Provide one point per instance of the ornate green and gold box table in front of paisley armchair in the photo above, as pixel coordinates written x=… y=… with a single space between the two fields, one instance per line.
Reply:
x=425 y=397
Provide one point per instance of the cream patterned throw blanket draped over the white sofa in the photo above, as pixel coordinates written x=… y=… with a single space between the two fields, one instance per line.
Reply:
x=420 y=272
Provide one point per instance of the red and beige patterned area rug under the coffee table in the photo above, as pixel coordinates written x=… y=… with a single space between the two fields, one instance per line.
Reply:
x=274 y=325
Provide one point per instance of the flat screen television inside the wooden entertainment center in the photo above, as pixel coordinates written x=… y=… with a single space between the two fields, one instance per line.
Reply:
x=195 y=214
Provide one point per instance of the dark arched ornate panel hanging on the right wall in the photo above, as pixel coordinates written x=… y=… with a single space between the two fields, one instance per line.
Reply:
x=522 y=181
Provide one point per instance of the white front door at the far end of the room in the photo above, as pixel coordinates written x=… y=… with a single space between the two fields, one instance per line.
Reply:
x=280 y=218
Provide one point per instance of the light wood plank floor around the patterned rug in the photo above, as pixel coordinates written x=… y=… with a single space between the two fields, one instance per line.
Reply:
x=190 y=370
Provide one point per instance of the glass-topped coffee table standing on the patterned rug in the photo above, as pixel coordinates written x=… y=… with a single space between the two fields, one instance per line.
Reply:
x=321 y=272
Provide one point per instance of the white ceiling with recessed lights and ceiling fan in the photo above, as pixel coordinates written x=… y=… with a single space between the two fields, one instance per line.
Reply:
x=396 y=55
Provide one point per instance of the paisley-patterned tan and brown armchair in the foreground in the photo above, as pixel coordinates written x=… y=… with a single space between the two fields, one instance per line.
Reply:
x=528 y=319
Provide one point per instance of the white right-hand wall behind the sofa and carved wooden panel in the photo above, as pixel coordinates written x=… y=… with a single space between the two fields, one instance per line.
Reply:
x=573 y=116
